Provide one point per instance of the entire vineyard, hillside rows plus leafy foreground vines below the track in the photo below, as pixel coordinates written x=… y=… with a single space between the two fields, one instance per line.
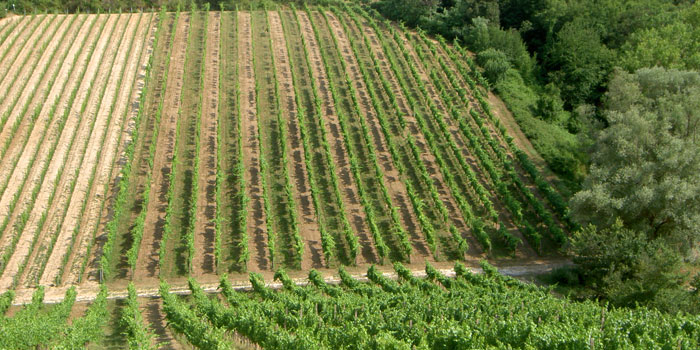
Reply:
x=140 y=148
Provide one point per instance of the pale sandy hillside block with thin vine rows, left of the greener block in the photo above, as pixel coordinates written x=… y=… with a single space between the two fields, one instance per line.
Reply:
x=69 y=82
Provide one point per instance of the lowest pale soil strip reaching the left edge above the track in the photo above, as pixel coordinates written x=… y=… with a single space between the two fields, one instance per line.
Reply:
x=49 y=142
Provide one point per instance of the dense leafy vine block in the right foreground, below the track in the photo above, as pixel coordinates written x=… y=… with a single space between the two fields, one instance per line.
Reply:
x=472 y=311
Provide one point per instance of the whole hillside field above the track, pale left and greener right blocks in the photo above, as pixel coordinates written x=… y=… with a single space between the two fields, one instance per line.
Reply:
x=140 y=147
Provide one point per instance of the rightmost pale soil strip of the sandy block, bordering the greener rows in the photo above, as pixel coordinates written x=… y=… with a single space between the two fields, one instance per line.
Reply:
x=127 y=105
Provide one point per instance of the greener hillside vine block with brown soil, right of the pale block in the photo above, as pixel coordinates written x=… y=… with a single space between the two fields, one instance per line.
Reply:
x=383 y=135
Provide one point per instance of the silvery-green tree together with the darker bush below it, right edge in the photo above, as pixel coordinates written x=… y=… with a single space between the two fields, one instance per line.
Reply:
x=641 y=198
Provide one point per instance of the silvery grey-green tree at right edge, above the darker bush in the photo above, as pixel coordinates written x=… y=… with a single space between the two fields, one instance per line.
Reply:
x=645 y=167
